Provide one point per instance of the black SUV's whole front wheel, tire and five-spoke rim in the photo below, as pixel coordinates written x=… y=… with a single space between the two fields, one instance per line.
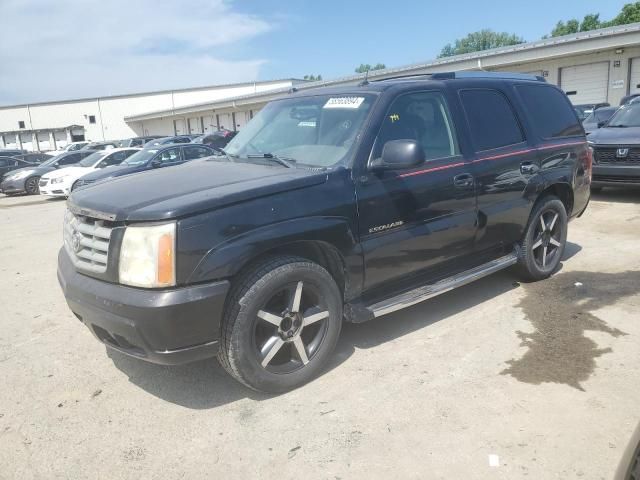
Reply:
x=281 y=324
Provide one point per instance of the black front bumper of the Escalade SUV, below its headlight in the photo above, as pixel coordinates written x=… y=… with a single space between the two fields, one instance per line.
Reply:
x=167 y=327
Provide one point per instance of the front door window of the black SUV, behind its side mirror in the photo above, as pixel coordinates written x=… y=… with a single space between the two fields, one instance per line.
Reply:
x=421 y=116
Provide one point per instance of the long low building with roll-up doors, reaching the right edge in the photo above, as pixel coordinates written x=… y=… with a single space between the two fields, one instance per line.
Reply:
x=591 y=67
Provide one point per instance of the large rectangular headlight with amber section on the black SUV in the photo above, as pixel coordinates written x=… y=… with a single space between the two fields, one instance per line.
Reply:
x=147 y=256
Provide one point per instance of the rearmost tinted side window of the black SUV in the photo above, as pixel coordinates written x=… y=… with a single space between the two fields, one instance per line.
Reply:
x=550 y=111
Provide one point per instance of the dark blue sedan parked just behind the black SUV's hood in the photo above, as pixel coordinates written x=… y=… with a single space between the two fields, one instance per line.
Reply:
x=148 y=159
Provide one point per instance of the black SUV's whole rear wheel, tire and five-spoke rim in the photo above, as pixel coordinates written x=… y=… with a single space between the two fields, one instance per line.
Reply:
x=544 y=239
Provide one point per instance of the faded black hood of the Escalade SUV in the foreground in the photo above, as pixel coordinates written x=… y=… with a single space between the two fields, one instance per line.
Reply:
x=193 y=187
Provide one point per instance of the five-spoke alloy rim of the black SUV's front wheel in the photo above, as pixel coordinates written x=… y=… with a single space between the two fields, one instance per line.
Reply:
x=290 y=327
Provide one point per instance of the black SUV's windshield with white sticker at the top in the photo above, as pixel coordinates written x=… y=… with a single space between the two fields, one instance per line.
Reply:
x=314 y=131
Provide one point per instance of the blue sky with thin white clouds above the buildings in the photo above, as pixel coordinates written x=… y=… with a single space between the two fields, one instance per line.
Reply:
x=62 y=49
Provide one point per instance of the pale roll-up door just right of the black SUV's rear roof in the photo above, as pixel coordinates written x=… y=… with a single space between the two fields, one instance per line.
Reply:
x=586 y=83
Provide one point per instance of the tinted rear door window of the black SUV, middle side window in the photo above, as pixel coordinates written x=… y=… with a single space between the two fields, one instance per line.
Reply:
x=492 y=121
